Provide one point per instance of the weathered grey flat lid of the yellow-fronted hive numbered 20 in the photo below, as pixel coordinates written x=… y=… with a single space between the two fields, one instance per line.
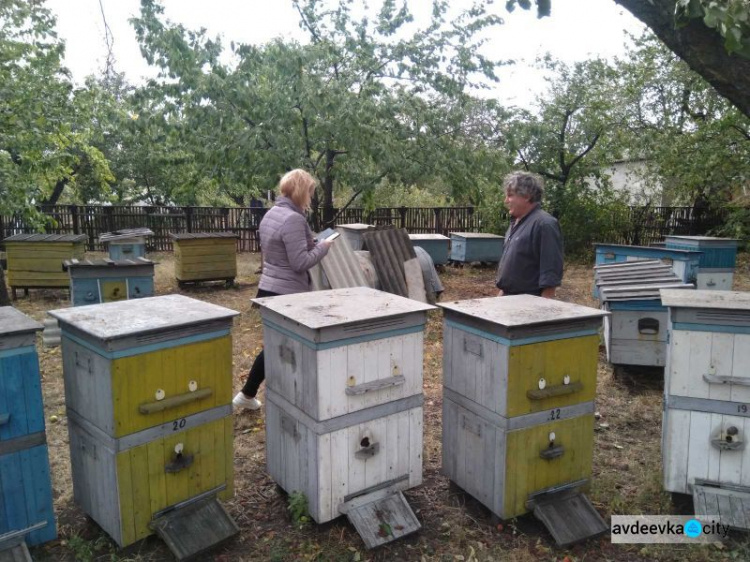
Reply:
x=116 y=320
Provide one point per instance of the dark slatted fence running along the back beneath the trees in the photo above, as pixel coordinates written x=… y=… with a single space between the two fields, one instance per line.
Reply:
x=640 y=226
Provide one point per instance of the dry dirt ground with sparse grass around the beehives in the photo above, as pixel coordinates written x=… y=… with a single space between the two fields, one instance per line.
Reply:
x=455 y=527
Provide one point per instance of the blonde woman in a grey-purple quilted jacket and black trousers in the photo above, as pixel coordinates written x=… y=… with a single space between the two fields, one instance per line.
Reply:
x=289 y=250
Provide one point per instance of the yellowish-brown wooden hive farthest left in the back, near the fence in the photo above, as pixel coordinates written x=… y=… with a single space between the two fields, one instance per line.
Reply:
x=35 y=260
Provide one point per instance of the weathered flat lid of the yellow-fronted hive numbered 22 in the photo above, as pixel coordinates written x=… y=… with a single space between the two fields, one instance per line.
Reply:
x=522 y=310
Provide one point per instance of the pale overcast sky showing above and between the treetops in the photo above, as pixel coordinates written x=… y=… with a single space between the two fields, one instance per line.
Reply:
x=577 y=30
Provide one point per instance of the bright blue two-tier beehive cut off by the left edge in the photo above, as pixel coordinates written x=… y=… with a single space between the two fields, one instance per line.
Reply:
x=25 y=487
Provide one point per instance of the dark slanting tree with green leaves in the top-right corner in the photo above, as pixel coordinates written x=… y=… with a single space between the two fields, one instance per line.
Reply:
x=711 y=36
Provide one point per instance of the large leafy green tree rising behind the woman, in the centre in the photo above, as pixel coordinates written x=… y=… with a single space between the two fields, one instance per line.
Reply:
x=362 y=102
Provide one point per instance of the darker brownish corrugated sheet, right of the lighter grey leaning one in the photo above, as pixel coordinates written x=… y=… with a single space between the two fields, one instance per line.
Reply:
x=389 y=249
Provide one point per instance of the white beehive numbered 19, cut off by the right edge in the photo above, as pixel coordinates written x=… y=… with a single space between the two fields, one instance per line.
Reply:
x=706 y=424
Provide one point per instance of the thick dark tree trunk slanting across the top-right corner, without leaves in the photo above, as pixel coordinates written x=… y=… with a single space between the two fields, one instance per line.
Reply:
x=701 y=47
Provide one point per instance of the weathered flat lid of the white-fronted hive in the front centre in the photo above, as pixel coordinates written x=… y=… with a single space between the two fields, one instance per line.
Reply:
x=324 y=309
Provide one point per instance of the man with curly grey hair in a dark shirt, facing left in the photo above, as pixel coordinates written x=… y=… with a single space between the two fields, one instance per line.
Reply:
x=532 y=260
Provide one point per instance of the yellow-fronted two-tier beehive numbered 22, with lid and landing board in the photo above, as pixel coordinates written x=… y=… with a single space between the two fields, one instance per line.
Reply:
x=519 y=381
